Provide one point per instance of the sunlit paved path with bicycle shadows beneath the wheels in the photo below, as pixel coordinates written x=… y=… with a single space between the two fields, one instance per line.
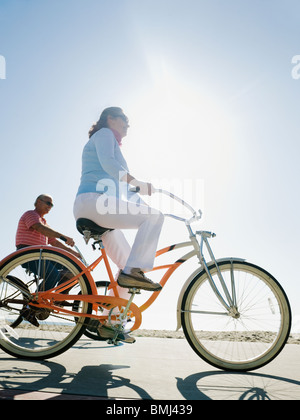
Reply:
x=151 y=369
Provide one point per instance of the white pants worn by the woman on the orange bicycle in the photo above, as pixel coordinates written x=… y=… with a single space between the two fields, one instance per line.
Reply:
x=110 y=212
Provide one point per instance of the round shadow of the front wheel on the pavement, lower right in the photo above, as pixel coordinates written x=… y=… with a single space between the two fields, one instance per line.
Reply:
x=220 y=385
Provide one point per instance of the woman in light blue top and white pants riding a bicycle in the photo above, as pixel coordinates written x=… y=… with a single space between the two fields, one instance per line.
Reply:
x=104 y=198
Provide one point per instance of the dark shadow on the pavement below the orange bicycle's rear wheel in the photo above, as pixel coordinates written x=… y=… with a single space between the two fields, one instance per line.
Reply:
x=92 y=381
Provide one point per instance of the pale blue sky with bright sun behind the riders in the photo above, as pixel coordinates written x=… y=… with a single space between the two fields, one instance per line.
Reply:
x=208 y=88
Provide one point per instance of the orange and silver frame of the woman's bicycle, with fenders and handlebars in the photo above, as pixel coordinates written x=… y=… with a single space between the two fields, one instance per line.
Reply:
x=48 y=298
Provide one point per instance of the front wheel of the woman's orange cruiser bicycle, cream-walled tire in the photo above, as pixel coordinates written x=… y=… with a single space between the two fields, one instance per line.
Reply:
x=252 y=339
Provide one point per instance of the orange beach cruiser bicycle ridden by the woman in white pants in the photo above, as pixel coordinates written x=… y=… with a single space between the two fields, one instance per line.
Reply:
x=234 y=314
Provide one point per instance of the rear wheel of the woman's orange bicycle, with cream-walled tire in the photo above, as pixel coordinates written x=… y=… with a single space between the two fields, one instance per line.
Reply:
x=38 y=333
